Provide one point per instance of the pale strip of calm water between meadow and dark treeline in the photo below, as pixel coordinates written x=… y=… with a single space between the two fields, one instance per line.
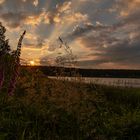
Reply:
x=120 y=82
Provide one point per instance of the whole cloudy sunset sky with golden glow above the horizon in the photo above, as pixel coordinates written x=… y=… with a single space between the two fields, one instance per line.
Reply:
x=102 y=34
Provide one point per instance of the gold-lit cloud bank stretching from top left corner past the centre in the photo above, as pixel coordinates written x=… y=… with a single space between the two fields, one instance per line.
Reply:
x=20 y=12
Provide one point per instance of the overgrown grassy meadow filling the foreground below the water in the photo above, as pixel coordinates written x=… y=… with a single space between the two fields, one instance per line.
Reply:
x=46 y=109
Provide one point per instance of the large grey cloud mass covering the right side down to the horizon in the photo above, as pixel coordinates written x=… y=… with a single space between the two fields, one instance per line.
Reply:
x=117 y=44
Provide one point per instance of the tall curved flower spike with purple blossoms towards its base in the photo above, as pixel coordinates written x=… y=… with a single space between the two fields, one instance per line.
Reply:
x=16 y=66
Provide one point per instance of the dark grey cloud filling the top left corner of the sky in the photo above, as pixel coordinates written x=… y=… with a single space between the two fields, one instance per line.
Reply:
x=15 y=12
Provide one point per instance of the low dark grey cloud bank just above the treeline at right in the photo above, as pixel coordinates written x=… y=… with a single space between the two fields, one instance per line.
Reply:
x=118 y=55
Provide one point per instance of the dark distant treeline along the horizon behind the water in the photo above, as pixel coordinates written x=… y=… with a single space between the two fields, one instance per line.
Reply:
x=108 y=73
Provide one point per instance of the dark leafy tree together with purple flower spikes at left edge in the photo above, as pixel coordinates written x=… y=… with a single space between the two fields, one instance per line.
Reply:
x=9 y=61
